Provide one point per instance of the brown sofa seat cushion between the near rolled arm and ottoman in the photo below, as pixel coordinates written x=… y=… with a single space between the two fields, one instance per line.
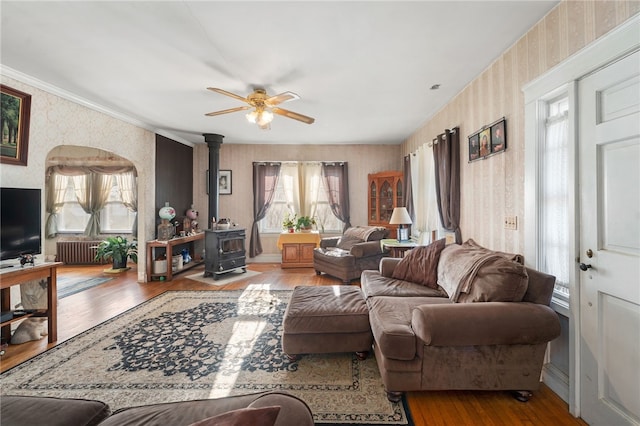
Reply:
x=390 y=319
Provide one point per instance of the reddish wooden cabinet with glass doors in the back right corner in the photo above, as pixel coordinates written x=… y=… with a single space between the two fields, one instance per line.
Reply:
x=386 y=190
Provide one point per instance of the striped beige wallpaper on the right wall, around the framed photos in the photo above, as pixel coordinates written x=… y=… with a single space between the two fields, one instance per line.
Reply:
x=494 y=187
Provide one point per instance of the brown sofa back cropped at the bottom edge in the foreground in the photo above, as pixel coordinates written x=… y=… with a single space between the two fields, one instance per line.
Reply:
x=252 y=409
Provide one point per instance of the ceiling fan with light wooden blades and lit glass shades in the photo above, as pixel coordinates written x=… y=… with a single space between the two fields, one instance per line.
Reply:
x=263 y=106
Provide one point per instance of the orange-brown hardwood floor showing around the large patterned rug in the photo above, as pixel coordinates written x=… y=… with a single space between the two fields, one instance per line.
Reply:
x=81 y=311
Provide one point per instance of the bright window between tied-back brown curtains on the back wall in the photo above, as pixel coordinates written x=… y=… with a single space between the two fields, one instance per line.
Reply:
x=301 y=190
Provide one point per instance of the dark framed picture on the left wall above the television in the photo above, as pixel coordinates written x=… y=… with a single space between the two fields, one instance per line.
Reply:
x=16 y=111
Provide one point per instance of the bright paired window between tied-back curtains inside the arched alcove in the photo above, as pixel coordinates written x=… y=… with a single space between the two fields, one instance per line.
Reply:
x=114 y=217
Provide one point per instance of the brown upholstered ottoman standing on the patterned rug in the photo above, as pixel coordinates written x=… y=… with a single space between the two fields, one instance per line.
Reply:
x=326 y=319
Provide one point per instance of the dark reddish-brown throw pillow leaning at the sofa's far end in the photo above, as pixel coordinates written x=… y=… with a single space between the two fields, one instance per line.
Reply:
x=420 y=265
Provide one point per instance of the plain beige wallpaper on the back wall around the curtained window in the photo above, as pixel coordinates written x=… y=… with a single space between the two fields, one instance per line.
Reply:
x=362 y=159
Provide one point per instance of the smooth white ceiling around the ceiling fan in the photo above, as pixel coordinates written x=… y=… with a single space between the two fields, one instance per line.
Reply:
x=362 y=69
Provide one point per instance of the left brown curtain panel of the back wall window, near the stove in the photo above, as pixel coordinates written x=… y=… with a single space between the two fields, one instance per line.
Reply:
x=265 y=181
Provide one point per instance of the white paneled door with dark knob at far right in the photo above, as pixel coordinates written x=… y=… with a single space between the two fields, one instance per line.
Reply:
x=609 y=164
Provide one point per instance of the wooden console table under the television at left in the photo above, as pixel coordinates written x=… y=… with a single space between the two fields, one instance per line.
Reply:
x=20 y=274
